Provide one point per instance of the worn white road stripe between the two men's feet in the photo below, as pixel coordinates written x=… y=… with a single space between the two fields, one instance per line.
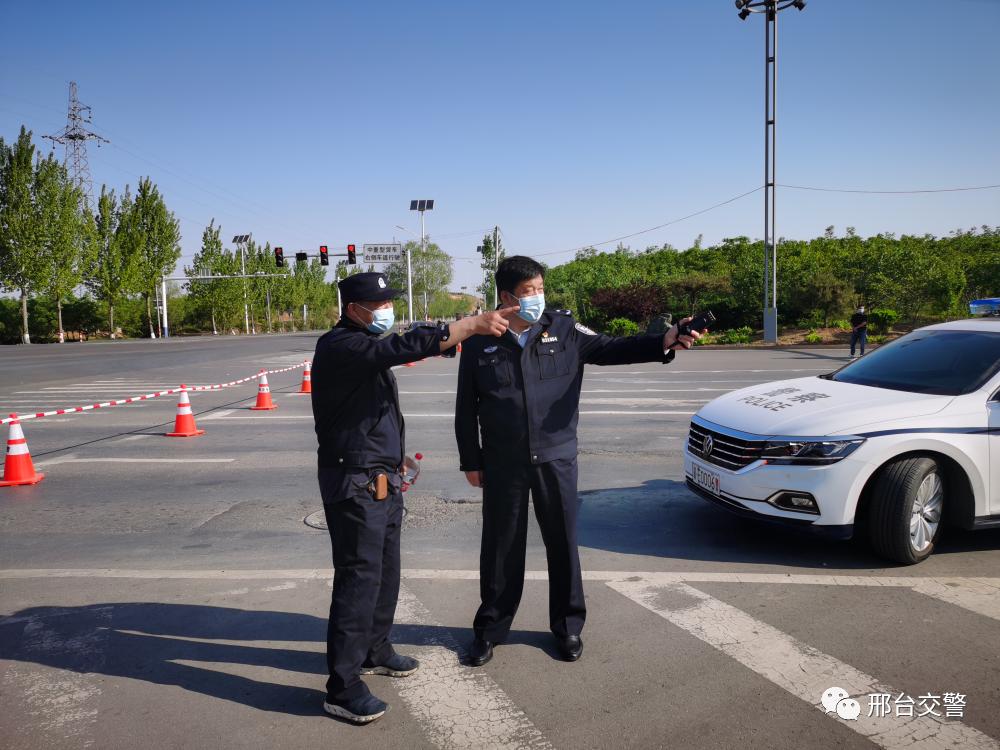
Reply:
x=459 y=708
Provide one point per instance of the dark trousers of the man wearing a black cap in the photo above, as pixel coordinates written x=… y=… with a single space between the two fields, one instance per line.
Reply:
x=364 y=533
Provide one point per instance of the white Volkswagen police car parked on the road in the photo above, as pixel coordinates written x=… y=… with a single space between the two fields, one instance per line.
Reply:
x=892 y=446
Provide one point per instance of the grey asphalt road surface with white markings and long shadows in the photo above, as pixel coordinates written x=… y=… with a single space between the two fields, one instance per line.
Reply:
x=166 y=592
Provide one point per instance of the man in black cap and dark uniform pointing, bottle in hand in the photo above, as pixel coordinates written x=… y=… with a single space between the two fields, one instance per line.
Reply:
x=361 y=447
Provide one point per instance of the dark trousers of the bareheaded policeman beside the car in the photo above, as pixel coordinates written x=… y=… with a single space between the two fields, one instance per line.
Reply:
x=552 y=487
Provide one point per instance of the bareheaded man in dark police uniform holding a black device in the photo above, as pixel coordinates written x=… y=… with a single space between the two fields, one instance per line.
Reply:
x=521 y=396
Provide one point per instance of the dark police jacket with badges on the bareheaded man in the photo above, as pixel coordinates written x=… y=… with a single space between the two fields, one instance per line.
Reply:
x=522 y=404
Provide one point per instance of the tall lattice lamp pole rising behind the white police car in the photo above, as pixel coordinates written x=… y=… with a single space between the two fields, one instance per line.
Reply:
x=770 y=9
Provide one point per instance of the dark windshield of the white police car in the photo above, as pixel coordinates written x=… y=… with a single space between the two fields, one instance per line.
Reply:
x=947 y=363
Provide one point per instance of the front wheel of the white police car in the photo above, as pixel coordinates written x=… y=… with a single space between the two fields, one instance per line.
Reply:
x=906 y=509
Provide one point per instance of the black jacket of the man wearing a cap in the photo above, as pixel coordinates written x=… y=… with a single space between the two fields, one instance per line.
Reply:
x=354 y=396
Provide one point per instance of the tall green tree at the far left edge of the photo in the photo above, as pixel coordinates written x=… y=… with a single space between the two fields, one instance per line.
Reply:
x=22 y=231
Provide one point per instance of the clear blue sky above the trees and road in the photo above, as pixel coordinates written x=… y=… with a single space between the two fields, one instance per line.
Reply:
x=565 y=122
